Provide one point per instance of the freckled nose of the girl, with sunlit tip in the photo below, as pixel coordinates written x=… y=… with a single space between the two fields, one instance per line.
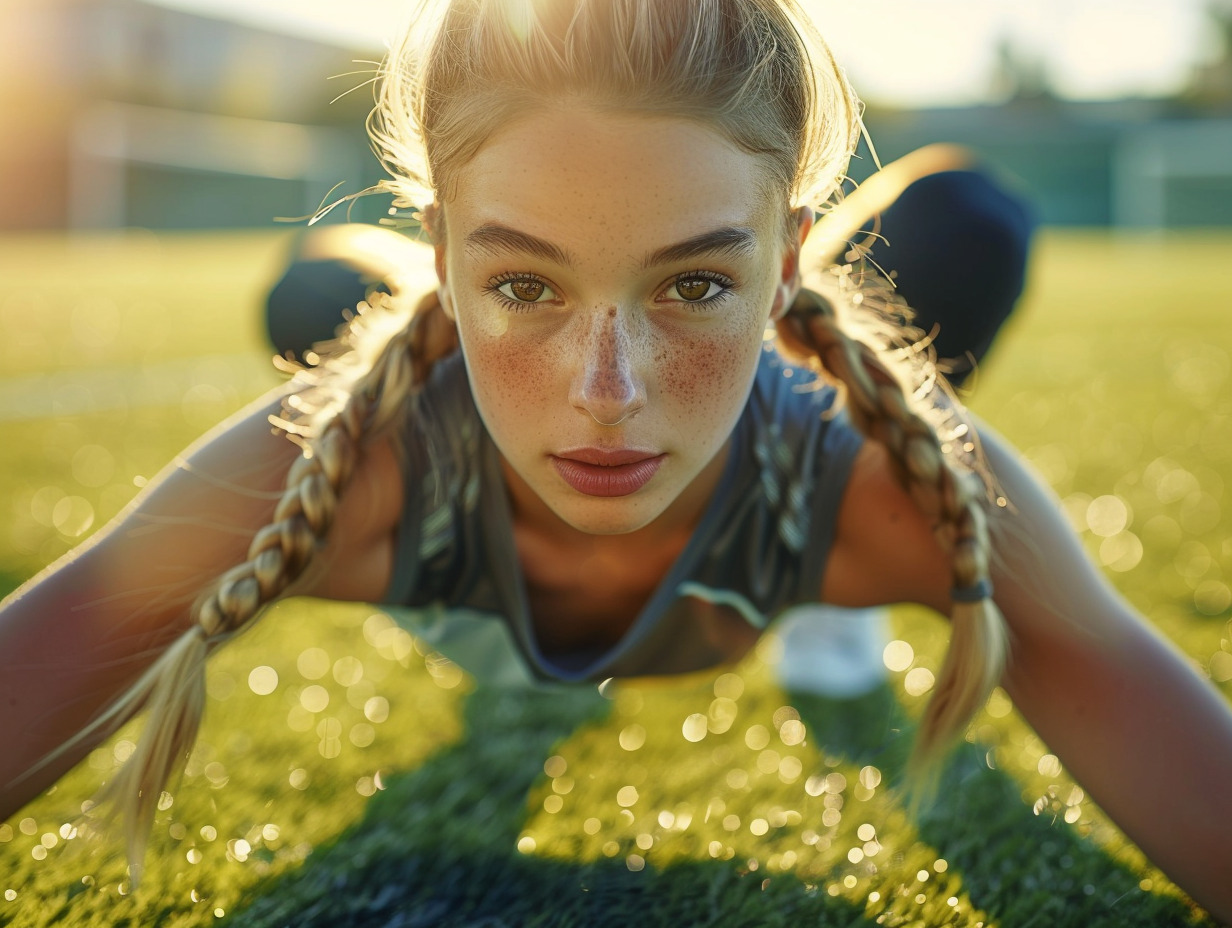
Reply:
x=608 y=385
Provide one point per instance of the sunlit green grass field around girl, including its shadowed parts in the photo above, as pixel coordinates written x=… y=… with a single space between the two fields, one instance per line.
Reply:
x=346 y=777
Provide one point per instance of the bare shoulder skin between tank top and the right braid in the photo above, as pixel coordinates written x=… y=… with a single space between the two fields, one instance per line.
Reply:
x=884 y=548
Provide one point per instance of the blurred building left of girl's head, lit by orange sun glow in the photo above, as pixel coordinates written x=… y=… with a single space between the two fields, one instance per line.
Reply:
x=121 y=113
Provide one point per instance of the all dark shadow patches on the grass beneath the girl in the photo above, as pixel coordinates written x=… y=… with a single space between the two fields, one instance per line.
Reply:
x=438 y=847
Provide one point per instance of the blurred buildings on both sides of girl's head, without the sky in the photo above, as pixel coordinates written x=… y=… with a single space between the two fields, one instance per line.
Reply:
x=124 y=113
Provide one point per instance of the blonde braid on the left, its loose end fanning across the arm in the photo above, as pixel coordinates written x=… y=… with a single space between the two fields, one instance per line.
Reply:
x=358 y=391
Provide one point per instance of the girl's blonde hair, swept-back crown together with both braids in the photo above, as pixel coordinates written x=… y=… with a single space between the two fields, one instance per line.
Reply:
x=756 y=71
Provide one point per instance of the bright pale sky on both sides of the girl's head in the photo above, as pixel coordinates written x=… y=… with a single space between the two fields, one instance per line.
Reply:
x=899 y=52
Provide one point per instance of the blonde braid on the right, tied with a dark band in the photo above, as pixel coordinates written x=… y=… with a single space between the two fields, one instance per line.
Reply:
x=948 y=489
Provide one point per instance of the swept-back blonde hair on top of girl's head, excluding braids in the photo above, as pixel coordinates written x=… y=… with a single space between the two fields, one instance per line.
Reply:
x=755 y=70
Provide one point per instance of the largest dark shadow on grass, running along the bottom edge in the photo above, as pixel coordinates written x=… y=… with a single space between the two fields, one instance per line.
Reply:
x=438 y=850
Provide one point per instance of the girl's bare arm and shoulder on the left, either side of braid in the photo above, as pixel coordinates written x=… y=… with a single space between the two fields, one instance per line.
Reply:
x=81 y=633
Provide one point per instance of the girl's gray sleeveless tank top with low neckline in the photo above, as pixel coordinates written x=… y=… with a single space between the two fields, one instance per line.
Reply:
x=761 y=547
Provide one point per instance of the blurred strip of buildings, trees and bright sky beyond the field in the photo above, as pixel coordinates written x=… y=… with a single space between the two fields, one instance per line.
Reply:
x=219 y=114
